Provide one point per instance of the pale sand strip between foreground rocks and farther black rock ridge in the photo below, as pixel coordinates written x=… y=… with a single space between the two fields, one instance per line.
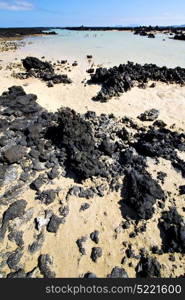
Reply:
x=78 y=95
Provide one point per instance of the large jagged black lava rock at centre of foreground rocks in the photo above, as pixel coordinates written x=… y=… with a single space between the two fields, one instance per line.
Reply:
x=76 y=136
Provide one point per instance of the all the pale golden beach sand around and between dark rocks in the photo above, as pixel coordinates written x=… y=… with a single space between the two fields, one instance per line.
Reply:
x=104 y=212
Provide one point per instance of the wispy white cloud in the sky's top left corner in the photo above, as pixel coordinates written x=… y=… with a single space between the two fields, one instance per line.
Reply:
x=16 y=5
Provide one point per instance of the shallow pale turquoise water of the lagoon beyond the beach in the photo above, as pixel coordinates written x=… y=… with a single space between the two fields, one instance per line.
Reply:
x=109 y=48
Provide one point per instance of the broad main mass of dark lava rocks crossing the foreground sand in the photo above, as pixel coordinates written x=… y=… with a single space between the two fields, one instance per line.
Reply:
x=78 y=144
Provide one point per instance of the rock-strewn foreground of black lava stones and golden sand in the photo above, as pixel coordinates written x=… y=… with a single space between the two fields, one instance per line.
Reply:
x=80 y=189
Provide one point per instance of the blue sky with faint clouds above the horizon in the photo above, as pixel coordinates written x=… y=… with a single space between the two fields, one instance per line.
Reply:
x=20 y=13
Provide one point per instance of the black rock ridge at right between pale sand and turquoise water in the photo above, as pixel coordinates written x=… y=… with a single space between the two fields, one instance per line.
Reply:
x=120 y=79
